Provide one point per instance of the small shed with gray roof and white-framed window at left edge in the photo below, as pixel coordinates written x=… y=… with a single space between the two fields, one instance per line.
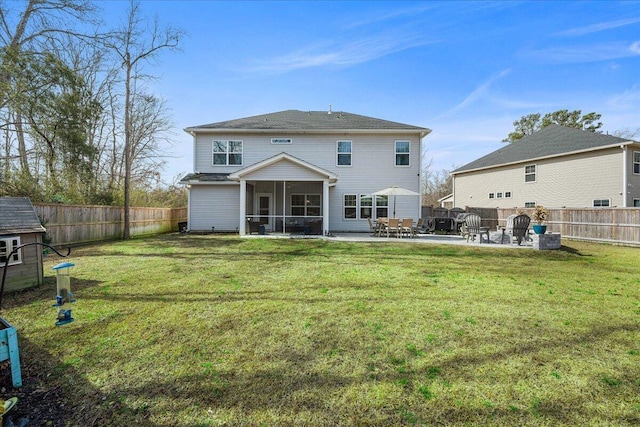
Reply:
x=19 y=224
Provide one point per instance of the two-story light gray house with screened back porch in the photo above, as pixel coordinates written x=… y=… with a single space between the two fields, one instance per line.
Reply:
x=301 y=171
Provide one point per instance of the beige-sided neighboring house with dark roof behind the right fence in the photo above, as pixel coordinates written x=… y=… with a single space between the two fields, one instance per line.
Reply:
x=555 y=167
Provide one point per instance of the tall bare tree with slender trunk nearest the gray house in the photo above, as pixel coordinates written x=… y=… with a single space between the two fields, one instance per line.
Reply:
x=136 y=44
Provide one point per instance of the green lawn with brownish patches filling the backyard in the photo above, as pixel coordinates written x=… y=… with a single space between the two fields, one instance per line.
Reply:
x=186 y=330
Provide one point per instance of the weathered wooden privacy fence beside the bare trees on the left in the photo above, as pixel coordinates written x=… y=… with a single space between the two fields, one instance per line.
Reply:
x=74 y=224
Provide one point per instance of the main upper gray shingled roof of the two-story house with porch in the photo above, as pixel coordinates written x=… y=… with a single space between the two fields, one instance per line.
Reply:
x=293 y=120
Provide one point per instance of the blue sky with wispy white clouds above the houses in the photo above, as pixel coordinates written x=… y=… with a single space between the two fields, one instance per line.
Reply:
x=464 y=69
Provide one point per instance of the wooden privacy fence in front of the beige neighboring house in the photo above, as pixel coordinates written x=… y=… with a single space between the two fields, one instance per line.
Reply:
x=606 y=225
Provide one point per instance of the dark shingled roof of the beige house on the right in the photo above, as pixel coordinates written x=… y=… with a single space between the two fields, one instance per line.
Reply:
x=550 y=141
